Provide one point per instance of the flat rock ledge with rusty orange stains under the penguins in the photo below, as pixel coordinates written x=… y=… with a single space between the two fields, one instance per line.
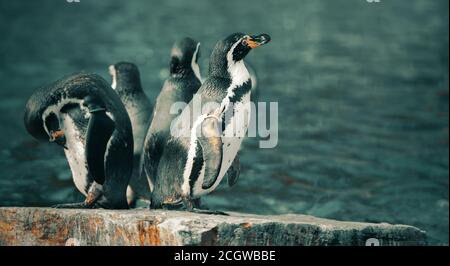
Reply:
x=39 y=226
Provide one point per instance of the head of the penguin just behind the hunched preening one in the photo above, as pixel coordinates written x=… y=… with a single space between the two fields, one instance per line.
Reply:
x=125 y=77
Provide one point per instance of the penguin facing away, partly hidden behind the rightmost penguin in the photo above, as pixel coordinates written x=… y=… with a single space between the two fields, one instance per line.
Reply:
x=182 y=84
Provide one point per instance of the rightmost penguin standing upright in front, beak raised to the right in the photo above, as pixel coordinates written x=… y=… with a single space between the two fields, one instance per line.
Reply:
x=202 y=147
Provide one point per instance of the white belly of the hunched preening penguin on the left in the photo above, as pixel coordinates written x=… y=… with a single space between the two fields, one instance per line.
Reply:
x=75 y=153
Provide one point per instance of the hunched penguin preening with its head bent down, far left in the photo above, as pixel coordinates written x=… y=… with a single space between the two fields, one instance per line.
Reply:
x=82 y=114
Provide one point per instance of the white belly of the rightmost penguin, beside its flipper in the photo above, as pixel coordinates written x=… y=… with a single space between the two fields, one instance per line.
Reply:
x=232 y=139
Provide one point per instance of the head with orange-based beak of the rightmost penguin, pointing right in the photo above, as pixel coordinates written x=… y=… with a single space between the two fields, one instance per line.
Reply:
x=232 y=50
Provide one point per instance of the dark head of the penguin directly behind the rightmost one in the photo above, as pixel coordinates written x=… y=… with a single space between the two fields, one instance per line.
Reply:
x=184 y=57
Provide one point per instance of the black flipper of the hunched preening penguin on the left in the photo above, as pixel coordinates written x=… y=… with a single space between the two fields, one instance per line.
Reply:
x=99 y=132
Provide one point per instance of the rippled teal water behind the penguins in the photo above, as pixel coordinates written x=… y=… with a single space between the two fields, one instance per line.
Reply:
x=362 y=91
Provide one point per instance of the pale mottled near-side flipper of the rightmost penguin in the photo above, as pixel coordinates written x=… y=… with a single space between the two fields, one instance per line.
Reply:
x=212 y=151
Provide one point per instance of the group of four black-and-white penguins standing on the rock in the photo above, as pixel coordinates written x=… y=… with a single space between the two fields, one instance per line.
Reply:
x=121 y=148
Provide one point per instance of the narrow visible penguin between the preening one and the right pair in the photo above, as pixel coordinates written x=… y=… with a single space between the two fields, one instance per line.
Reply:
x=127 y=84
